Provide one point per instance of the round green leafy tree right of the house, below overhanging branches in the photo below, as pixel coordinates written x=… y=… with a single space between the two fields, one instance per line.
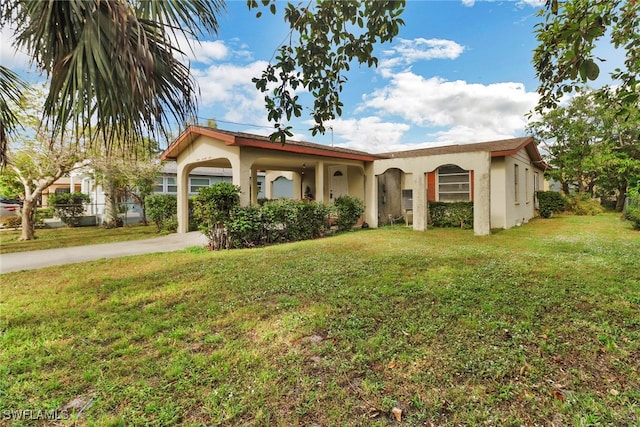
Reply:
x=593 y=143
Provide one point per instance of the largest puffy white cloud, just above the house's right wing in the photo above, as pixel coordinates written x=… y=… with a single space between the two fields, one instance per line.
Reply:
x=468 y=112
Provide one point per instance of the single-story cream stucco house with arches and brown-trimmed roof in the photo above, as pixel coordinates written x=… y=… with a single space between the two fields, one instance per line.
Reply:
x=499 y=177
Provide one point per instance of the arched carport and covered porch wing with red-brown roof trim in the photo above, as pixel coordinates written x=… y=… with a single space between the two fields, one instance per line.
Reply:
x=318 y=172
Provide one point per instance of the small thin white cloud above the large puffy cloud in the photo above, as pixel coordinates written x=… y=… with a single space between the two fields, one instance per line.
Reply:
x=409 y=51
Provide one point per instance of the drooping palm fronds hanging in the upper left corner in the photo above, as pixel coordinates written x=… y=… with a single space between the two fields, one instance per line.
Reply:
x=111 y=64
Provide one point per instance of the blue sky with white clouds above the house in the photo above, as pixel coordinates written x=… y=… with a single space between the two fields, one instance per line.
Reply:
x=460 y=71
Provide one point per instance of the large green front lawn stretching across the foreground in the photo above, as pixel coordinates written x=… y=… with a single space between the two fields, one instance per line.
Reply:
x=536 y=325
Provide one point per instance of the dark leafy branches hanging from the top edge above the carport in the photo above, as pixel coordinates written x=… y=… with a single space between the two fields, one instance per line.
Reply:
x=326 y=37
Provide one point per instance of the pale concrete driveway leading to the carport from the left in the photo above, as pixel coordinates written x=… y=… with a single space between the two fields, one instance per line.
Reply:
x=50 y=257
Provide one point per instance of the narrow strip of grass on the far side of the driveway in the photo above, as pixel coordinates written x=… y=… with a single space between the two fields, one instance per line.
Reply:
x=66 y=237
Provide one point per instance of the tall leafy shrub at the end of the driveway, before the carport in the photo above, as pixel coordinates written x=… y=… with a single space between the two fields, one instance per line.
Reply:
x=212 y=208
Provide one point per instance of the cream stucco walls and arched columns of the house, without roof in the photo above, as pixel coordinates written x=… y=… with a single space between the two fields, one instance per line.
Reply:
x=493 y=186
